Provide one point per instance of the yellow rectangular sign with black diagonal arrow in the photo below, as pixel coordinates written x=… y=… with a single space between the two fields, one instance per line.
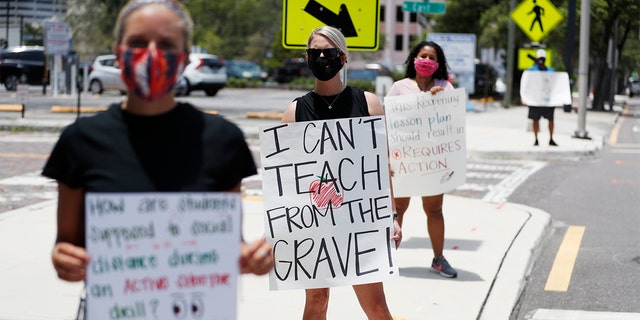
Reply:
x=358 y=21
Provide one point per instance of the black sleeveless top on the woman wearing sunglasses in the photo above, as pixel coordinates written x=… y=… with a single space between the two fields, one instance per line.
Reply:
x=350 y=103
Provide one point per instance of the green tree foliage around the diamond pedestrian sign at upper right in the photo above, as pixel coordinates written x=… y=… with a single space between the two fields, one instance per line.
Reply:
x=612 y=21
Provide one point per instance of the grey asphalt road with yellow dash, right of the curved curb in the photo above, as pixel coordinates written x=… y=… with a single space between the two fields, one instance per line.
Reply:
x=600 y=199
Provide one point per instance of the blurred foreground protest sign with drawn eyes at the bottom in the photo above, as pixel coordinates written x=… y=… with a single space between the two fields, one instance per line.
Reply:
x=162 y=255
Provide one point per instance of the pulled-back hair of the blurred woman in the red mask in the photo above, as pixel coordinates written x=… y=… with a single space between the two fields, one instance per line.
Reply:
x=175 y=6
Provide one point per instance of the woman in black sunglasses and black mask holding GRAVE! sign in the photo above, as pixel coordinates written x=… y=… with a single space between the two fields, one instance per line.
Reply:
x=333 y=99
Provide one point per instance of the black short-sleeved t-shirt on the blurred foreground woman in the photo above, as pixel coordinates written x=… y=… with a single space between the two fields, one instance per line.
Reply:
x=181 y=150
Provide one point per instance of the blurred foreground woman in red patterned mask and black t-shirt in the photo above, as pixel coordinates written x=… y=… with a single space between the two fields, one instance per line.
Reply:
x=149 y=143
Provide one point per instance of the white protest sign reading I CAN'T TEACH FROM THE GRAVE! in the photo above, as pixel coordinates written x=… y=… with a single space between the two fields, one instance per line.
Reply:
x=327 y=203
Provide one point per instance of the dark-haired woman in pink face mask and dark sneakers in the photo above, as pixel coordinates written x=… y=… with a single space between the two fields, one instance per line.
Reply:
x=427 y=72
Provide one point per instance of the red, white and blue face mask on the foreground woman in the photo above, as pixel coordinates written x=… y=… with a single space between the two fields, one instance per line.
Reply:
x=150 y=73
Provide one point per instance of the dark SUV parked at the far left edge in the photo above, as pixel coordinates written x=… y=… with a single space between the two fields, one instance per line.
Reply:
x=22 y=64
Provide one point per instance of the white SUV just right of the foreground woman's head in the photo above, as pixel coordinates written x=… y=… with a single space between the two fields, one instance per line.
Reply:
x=204 y=72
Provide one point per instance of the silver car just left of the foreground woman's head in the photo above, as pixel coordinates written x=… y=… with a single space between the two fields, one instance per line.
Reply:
x=104 y=74
